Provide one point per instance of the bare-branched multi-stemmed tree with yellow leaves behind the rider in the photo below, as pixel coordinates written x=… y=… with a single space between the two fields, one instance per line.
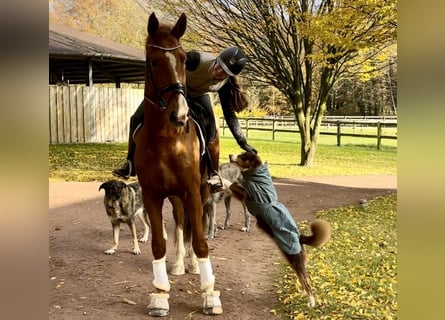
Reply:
x=300 y=47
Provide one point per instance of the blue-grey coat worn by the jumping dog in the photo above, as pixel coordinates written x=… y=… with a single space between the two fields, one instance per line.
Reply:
x=263 y=201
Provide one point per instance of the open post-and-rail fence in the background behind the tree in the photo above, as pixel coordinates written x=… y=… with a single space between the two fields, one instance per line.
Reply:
x=344 y=126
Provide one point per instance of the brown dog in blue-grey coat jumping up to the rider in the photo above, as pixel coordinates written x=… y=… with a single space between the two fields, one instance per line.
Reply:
x=260 y=196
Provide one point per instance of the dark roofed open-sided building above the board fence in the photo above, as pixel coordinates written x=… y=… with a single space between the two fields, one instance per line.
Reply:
x=78 y=58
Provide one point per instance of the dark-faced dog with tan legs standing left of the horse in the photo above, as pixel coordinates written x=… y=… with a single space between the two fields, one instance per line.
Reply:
x=123 y=203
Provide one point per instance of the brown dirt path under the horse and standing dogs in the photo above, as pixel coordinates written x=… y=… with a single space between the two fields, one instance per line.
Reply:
x=84 y=283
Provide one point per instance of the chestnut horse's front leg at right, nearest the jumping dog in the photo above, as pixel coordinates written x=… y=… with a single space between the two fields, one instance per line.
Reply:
x=212 y=302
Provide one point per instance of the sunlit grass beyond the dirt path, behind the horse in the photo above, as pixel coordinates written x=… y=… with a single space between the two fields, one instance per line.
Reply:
x=95 y=161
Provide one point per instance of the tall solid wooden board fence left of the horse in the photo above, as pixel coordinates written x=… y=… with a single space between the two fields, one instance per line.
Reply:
x=80 y=114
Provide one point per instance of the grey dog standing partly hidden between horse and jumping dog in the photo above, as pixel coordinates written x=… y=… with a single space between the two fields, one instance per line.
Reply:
x=229 y=173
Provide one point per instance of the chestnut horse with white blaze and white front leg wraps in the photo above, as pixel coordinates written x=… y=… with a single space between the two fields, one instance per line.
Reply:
x=168 y=159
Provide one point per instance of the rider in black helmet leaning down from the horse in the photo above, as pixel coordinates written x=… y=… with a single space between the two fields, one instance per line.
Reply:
x=205 y=73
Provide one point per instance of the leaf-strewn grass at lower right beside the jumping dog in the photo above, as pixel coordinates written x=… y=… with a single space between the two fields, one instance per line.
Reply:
x=355 y=274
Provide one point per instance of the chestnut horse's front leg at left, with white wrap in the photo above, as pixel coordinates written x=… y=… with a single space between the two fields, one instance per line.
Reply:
x=158 y=306
